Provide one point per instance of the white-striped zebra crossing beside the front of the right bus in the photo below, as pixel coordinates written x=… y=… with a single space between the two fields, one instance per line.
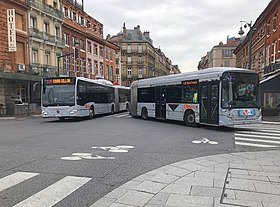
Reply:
x=264 y=136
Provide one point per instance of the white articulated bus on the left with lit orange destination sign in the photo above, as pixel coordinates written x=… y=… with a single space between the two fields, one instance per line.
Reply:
x=73 y=97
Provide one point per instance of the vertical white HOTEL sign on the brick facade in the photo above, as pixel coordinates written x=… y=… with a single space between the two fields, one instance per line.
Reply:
x=11 y=18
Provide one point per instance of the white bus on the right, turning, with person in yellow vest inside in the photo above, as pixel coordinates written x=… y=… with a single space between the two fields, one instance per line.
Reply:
x=215 y=96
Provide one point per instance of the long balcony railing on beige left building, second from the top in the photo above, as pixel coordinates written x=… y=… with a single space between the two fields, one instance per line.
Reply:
x=35 y=33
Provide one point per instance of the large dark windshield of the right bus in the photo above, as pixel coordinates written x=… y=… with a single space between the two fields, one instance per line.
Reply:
x=240 y=90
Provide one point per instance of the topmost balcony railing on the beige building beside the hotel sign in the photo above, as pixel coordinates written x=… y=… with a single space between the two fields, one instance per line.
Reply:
x=46 y=8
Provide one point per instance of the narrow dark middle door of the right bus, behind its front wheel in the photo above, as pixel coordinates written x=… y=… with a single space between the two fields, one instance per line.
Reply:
x=160 y=103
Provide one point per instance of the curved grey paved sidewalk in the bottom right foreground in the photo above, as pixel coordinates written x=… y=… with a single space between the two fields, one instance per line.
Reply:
x=226 y=180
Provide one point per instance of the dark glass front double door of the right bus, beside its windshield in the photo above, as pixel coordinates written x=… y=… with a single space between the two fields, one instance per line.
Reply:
x=209 y=102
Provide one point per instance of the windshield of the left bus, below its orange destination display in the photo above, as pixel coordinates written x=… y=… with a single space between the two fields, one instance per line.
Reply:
x=58 y=95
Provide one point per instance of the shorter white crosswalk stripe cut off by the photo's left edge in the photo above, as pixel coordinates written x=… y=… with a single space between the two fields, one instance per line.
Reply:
x=15 y=179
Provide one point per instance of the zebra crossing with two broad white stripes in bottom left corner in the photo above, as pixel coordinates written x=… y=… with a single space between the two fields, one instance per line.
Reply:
x=46 y=197
